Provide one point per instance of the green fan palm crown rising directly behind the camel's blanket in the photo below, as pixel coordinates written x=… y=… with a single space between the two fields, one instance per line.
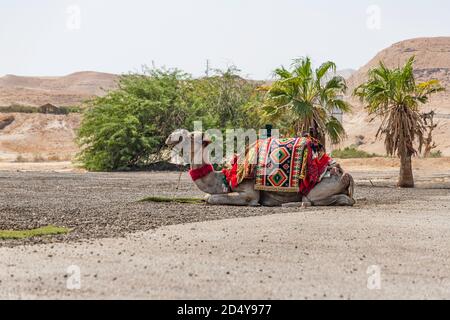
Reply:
x=305 y=99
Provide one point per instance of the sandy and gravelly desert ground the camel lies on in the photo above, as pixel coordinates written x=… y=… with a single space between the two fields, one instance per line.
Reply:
x=130 y=249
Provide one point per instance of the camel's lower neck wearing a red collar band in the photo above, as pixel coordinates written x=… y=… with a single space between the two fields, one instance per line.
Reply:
x=210 y=182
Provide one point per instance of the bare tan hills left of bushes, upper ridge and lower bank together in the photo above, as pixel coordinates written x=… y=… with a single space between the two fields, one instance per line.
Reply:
x=37 y=137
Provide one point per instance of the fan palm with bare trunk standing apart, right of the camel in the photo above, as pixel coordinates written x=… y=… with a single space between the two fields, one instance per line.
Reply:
x=394 y=96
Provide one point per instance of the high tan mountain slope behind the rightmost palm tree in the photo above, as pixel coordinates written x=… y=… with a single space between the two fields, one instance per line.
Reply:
x=432 y=62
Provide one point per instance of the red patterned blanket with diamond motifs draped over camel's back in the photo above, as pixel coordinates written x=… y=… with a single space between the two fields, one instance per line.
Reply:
x=280 y=165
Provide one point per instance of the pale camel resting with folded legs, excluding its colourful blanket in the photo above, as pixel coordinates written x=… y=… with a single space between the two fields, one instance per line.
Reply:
x=335 y=189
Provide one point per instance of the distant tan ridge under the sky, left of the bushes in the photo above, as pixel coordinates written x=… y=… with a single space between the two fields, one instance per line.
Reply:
x=68 y=90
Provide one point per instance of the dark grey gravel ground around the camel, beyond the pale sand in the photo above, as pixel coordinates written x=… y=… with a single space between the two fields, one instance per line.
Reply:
x=101 y=205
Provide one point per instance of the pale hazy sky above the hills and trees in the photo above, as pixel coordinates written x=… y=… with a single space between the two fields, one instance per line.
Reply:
x=57 y=37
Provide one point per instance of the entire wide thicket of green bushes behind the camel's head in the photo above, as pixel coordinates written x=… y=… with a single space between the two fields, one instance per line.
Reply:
x=129 y=126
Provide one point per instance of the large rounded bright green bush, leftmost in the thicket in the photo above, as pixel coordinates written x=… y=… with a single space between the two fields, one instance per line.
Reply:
x=124 y=128
